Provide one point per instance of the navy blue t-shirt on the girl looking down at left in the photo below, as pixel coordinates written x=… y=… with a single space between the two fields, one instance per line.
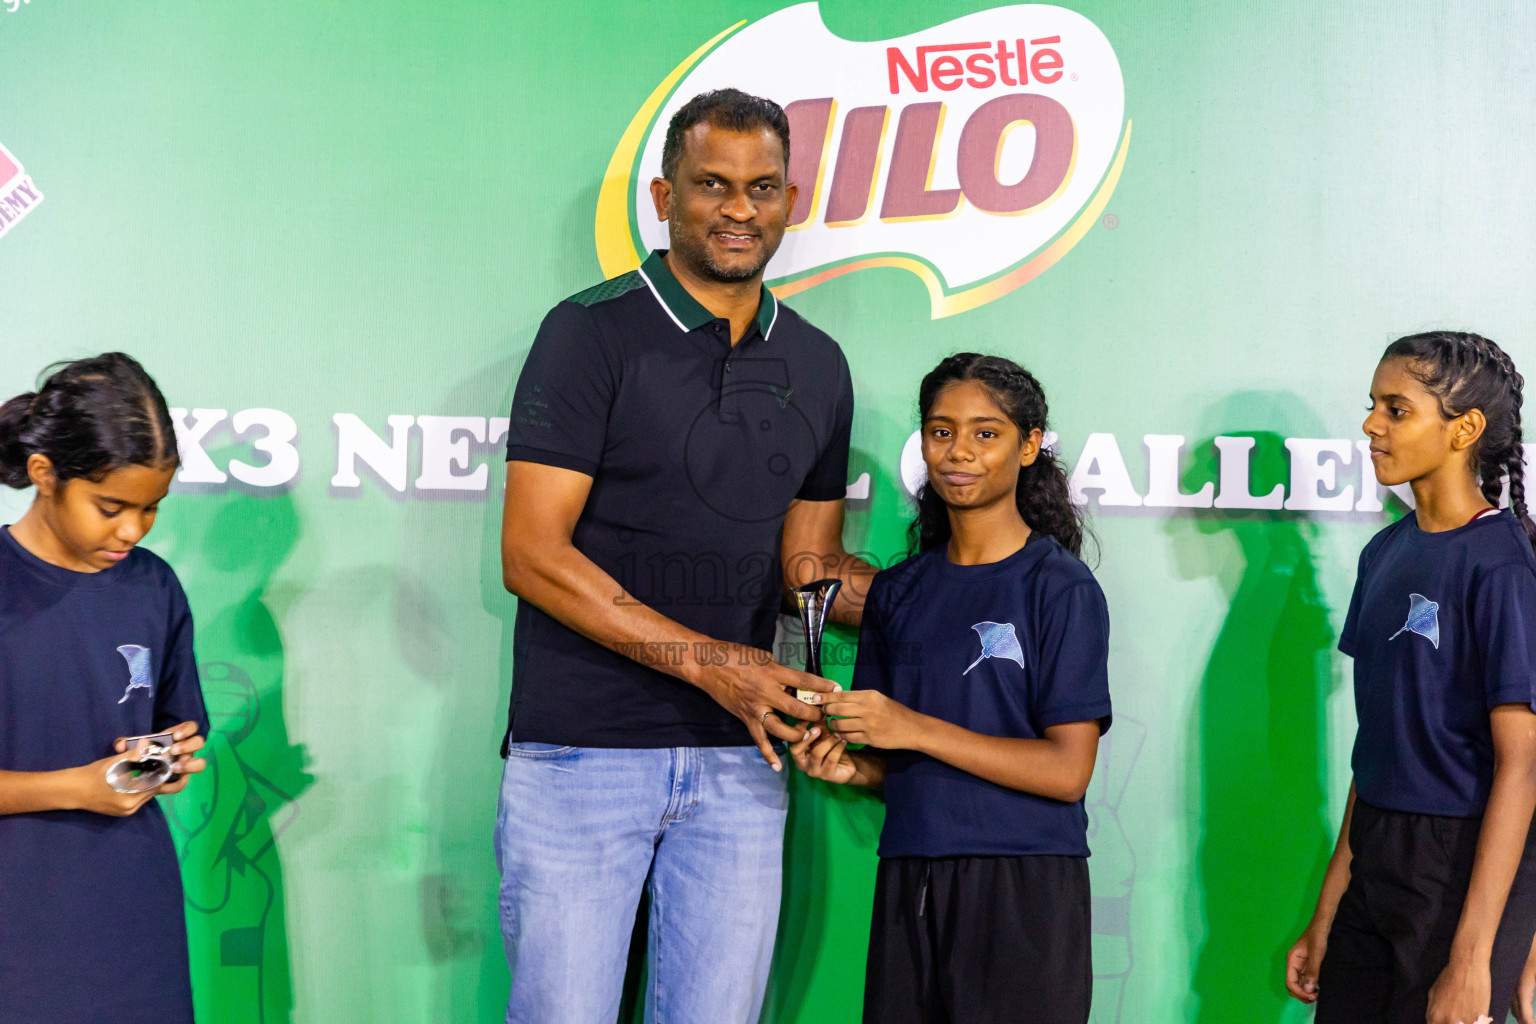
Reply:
x=85 y=659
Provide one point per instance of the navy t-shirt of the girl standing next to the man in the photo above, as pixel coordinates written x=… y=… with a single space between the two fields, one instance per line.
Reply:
x=1007 y=649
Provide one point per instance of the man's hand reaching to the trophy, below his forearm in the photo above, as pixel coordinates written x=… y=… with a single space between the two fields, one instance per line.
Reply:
x=753 y=687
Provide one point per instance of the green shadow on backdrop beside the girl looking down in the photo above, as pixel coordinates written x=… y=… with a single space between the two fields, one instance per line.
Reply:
x=230 y=819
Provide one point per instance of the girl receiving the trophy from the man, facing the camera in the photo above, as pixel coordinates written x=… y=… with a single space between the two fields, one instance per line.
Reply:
x=982 y=693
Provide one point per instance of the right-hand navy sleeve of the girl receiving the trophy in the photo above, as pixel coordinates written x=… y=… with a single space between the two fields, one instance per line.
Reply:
x=1074 y=659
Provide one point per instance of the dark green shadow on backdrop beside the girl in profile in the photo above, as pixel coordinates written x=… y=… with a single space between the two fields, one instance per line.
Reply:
x=1262 y=834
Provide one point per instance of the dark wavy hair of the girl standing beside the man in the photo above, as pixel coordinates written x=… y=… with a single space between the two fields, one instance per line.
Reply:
x=1045 y=501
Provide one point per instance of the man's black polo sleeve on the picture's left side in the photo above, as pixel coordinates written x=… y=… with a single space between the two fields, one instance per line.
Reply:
x=560 y=409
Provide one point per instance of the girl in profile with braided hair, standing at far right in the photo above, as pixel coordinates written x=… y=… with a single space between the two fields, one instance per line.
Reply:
x=1429 y=902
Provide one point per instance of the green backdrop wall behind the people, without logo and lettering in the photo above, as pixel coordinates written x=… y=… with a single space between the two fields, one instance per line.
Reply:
x=366 y=210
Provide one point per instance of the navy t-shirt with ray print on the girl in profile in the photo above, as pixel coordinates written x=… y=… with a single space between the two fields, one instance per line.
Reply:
x=1443 y=629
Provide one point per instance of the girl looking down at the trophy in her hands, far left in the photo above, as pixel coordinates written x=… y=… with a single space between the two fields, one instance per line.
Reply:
x=96 y=647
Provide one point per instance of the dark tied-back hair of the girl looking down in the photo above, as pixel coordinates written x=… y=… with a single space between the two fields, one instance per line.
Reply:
x=90 y=417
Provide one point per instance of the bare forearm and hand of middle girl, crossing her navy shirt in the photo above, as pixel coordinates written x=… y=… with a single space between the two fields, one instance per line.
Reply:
x=1058 y=767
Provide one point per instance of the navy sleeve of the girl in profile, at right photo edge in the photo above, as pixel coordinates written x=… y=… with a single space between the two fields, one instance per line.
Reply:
x=1503 y=616
